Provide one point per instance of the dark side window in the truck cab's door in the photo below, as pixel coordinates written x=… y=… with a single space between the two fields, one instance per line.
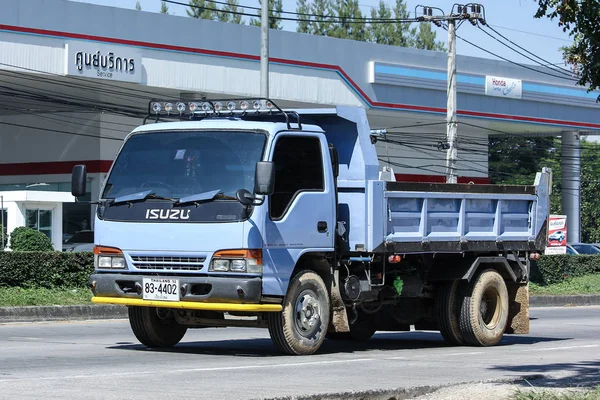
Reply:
x=298 y=168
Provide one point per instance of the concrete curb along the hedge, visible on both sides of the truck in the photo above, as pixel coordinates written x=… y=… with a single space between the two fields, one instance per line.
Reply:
x=106 y=311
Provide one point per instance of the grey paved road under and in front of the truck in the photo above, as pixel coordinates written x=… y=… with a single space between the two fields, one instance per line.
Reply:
x=103 y=360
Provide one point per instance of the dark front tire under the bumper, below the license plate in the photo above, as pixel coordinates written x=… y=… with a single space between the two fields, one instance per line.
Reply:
x=155 y=327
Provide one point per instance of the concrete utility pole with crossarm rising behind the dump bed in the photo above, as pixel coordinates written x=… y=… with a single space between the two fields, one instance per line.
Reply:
x=462 y=14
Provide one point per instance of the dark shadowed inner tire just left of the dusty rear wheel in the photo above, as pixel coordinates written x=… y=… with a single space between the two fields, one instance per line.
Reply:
x=447 y=304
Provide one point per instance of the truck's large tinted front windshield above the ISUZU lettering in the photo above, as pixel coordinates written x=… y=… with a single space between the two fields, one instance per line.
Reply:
x=183 y=163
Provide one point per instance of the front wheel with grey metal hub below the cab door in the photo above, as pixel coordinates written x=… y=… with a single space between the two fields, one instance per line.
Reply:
x=300 y=328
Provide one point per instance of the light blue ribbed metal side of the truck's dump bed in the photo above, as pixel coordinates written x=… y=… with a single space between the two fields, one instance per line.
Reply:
x=425 y=217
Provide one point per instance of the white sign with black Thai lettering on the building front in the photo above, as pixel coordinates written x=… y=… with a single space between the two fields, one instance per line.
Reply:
x=95 y=60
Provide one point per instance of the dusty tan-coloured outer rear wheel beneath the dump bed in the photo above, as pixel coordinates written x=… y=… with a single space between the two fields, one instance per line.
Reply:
x=484 y=311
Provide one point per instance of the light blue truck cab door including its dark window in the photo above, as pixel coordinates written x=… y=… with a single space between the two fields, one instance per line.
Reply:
x=301 y=211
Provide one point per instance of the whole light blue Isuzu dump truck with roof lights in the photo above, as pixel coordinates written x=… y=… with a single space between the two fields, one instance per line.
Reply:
x=227 y=209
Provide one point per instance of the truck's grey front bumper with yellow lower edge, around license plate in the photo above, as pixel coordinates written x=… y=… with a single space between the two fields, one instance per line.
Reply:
x=200 y=293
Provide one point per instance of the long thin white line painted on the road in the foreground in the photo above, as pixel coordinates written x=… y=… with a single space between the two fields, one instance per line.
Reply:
x=212 y=369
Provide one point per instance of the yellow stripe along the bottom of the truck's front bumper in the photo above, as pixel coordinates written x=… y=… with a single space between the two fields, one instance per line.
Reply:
x=187 y=305
